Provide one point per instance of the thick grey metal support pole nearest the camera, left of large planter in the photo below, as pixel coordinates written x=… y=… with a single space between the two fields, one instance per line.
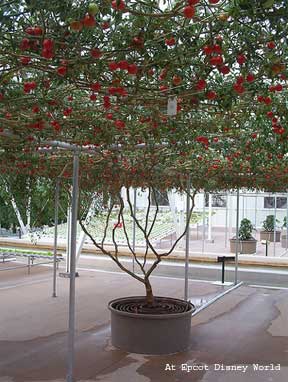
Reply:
x=74 y=212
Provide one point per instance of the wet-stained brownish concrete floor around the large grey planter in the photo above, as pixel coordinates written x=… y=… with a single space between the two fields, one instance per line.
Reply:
x=248 y=326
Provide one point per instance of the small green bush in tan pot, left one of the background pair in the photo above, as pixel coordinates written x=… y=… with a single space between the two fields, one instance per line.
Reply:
x=247 y=243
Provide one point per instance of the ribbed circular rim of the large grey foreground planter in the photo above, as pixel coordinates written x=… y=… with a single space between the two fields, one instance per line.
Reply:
x=151 y=316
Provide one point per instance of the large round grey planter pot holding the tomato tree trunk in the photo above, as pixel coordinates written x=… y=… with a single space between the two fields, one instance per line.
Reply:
x=149 y=333
